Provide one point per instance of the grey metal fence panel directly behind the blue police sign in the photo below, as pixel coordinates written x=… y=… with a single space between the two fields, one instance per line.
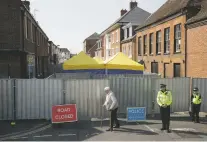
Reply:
x=132 y=92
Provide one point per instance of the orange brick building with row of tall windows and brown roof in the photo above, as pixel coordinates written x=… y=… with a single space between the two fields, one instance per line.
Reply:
x=161 y=40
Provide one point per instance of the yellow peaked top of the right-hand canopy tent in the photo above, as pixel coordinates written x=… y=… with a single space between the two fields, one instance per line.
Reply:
x=122 y=62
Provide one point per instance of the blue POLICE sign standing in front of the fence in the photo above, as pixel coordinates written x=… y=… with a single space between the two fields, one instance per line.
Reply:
x=136 y=114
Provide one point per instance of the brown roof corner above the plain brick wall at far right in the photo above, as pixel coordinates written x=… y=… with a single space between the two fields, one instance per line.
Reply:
x=201 y=15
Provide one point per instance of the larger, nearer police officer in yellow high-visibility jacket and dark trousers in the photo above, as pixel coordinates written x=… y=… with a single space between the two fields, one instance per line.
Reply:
x=164 y=100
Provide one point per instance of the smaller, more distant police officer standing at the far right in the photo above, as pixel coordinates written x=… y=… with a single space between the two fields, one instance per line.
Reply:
x=196 y=104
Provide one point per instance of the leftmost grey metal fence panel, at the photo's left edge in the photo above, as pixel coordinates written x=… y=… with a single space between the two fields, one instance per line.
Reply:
x=6 y=99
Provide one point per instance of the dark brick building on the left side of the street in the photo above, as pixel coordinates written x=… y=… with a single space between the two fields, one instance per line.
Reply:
x=23 y=44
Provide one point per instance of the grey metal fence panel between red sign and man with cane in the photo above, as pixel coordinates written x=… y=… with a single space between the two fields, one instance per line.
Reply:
x=88 y=95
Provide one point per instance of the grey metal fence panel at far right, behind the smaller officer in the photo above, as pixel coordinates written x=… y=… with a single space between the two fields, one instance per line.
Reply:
x=201 y=83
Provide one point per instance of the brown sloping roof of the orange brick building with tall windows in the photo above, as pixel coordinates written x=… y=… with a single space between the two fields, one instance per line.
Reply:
x=169 y=8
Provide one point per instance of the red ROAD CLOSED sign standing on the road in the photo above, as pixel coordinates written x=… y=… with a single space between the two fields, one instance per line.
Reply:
x=64 y=113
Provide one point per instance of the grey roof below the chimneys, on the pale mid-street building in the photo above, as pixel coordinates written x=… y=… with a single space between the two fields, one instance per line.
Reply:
x=136 y=15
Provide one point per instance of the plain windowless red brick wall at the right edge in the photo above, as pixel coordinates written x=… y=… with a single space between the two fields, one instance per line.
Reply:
x=197 y=52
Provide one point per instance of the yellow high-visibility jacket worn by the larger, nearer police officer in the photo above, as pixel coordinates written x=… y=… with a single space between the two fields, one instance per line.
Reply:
x=164 y=98
